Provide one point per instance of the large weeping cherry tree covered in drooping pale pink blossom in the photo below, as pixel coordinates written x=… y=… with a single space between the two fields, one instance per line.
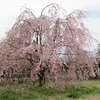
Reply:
x=50 y=46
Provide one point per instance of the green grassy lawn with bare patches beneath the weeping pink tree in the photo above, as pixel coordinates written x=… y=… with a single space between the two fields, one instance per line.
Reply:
x=79 y=90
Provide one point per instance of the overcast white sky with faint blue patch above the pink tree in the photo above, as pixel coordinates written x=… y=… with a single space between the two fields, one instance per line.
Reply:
x=10 y=10
